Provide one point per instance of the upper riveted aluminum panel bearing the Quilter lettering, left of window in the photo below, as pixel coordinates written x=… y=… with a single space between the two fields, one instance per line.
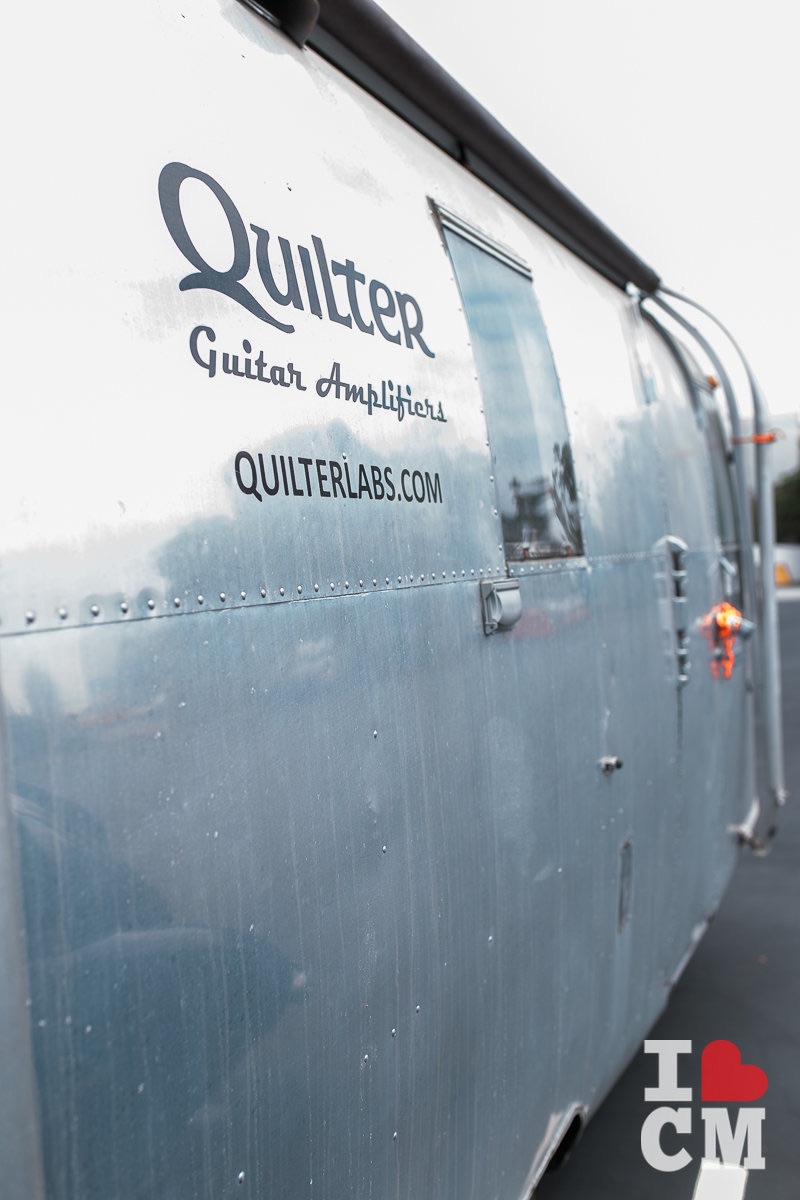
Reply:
x=171 y=371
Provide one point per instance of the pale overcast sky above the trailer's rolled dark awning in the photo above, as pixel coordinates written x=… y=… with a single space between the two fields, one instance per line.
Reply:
x=676 y=123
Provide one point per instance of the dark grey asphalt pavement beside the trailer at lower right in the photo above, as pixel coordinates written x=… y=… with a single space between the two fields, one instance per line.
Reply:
x=743 y=986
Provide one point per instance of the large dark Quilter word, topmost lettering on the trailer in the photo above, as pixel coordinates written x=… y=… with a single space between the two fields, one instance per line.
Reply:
x=329 y=289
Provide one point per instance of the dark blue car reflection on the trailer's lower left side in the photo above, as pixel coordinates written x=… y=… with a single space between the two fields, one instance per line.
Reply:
x=204 y=999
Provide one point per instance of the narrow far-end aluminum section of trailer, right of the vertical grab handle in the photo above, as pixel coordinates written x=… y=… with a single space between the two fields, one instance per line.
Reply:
x=701 y=574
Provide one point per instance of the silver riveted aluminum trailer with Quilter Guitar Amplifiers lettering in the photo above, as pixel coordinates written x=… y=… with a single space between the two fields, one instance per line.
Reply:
x=378 y=728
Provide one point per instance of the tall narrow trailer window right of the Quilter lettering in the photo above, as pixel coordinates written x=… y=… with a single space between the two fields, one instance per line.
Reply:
x=533 y=459
